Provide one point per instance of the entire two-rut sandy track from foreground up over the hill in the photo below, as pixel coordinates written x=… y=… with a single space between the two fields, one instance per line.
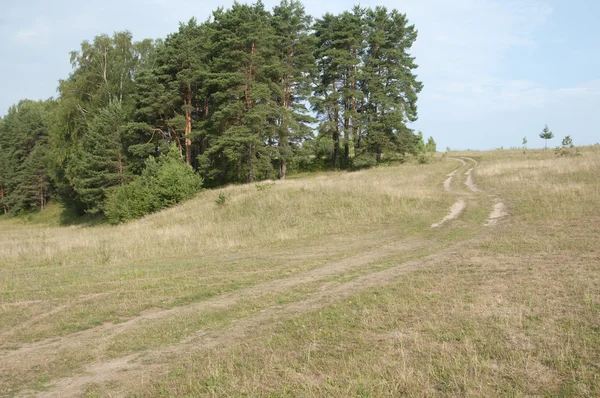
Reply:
x=126 y=374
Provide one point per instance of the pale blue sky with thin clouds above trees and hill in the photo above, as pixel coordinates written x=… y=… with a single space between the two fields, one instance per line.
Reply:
x=494 y=71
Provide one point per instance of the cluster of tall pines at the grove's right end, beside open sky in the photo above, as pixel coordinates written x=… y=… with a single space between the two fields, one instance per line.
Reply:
x=366 y=90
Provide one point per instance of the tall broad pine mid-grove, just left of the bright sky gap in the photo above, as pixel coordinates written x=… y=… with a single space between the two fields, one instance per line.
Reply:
x=245 y=97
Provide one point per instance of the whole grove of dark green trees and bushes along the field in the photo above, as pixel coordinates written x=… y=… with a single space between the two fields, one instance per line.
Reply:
x=250 y=94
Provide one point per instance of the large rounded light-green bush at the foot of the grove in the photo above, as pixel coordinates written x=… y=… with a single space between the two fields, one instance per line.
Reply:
x=165 y=181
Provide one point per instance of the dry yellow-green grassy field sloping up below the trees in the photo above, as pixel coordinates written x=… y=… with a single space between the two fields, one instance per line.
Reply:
x=330 y=285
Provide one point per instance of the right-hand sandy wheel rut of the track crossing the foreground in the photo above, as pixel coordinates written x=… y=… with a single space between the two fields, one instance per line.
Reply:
x=128 y=372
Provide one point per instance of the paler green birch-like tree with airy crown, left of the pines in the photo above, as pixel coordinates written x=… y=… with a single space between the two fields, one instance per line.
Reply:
x=104 y=72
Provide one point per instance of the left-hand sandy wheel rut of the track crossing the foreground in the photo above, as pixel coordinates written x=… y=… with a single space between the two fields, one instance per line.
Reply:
x=97 y=340
